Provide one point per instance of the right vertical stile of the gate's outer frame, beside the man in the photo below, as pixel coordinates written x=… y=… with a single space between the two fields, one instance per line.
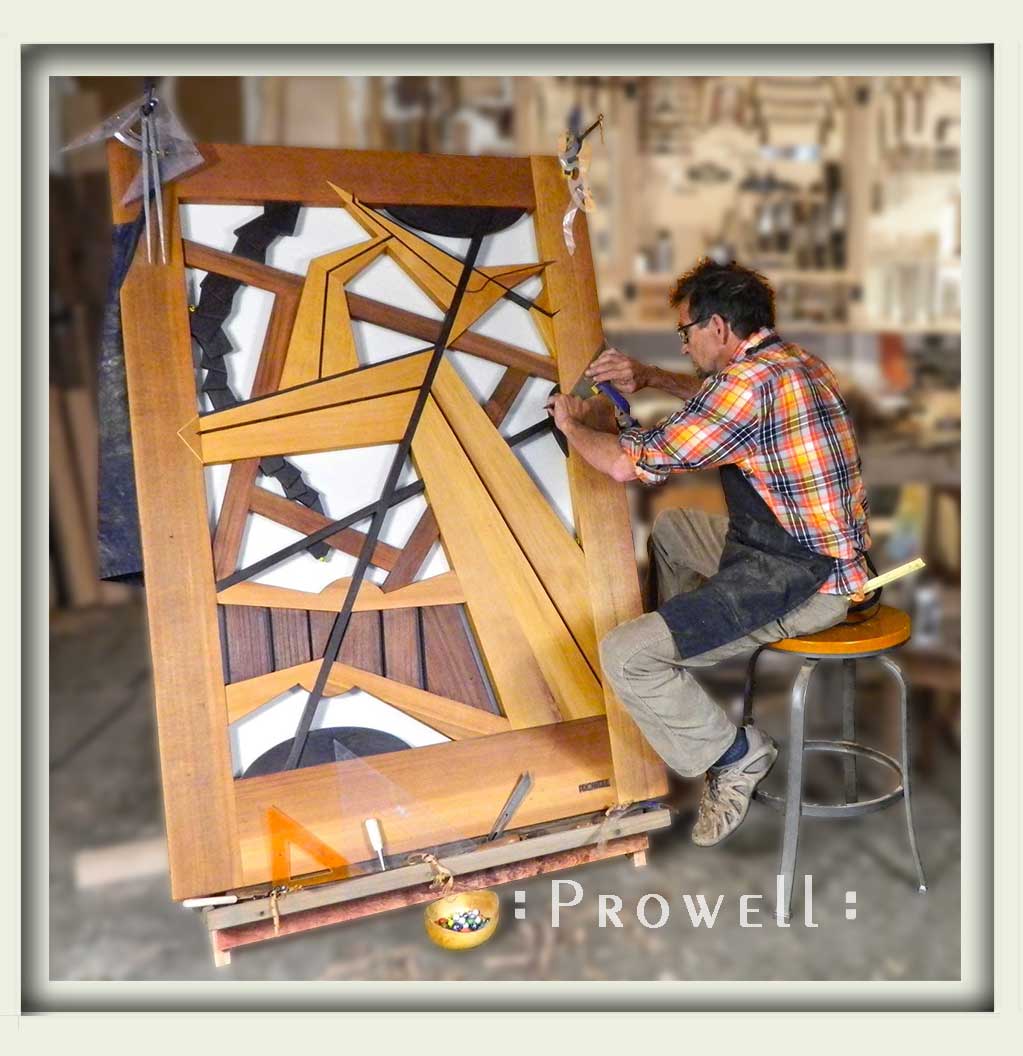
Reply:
x=602 y=517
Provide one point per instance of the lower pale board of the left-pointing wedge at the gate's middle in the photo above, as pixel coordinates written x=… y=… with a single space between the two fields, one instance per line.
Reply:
x=358 y=425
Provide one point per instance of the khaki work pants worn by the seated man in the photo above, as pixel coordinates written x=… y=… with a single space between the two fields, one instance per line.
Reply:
x=675 y=713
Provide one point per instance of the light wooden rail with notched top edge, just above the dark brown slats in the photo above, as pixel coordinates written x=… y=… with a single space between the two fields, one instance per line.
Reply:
x=444 y=590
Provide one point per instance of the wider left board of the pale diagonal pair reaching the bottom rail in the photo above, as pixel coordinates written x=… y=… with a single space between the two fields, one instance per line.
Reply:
x=529 y=651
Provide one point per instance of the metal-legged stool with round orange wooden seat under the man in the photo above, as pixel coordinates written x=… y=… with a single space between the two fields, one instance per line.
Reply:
x=876 y=636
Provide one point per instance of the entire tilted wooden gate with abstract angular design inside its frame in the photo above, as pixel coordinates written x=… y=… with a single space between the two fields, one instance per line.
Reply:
x=498 y=655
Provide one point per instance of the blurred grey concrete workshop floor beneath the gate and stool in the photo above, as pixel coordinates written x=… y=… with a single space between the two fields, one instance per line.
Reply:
x=105 y=790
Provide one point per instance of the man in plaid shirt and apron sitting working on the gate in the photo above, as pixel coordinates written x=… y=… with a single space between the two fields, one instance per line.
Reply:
x=788 y=560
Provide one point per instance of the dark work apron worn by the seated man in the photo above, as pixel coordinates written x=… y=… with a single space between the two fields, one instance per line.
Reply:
x=765 y=573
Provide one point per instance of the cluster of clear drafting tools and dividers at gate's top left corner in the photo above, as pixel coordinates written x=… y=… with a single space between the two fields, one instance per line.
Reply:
x=151 y=129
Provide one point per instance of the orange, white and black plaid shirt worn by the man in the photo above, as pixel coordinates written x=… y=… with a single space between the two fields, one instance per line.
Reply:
x=775 y=411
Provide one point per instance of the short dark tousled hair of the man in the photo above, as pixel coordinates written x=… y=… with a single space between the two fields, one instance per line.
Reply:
x=743 y=298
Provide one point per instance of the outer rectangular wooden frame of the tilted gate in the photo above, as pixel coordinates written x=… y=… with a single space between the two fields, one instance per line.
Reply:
x=216 y=825
